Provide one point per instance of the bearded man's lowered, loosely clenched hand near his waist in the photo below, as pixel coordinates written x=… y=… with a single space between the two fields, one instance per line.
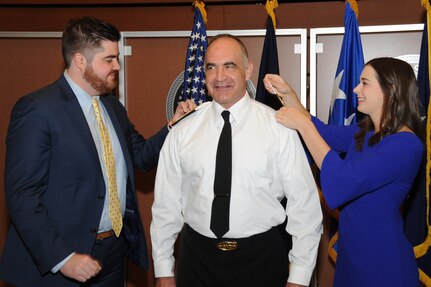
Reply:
x=81 y=267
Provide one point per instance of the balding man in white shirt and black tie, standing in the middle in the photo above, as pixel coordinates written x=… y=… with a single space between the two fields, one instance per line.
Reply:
x=268 y=164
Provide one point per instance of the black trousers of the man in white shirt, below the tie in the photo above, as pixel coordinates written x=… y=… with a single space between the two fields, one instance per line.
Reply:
x=259 y=261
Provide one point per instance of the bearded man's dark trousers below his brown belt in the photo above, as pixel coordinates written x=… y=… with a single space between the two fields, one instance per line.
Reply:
x=111 y=254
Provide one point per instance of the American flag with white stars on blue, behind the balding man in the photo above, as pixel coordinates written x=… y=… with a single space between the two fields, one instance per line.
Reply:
x=194 y=73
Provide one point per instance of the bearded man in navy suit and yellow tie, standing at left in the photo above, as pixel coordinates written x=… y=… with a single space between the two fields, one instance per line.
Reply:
x=56 y=180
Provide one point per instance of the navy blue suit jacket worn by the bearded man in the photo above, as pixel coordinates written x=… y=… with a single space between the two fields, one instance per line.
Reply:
x=54 y=184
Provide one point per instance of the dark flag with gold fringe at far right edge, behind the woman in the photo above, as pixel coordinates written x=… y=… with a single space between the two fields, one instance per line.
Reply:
x=417 y=205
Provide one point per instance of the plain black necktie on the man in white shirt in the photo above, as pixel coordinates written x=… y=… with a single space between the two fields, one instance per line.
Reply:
x=222 y=180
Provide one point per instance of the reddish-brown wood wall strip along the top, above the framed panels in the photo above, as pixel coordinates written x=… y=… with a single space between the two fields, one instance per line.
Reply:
x=232 y=16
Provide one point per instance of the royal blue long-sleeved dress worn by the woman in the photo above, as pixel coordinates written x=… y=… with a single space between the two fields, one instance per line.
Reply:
x=369 y=188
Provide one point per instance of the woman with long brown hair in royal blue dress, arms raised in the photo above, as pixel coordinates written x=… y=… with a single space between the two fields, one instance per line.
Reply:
x=368 y=186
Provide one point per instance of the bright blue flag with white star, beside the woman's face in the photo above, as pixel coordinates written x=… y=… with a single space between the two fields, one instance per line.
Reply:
x=350 y=65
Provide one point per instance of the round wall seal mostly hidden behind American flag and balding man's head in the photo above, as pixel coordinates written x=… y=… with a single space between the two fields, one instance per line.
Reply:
x=176 y=94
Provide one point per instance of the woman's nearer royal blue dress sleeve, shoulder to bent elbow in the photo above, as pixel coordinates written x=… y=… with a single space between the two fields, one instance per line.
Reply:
x=363 y=172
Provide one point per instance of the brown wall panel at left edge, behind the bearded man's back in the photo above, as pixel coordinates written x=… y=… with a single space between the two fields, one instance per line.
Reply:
x=28 y=64
